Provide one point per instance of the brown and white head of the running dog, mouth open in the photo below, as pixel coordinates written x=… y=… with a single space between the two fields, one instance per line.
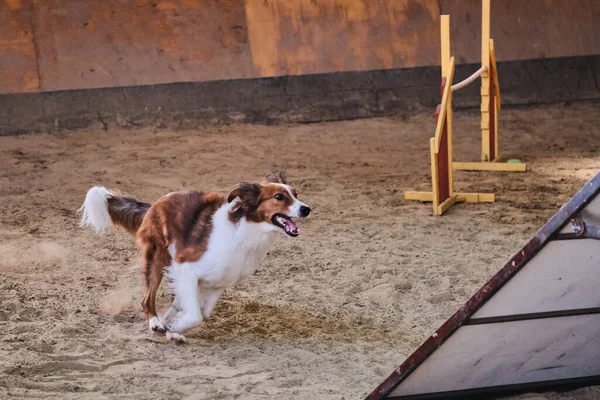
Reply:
x=272 y=202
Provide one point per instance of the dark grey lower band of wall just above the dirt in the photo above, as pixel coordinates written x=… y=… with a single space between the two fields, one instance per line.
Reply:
x=294 y=99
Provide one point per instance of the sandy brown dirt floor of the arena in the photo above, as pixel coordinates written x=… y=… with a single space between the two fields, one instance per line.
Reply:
x=328 y=315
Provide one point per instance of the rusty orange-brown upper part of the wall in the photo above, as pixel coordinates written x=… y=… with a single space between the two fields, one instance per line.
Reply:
x=50 y=45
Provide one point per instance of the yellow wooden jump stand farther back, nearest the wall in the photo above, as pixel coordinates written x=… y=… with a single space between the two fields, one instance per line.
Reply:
x=490 y=103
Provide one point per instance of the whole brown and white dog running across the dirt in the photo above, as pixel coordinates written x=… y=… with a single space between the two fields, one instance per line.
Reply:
x=202 y=242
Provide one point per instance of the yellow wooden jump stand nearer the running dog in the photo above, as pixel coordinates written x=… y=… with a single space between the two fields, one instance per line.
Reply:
x=442 y=194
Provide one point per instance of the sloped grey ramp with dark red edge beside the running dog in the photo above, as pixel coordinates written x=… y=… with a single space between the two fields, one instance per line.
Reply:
x=534 y=326
